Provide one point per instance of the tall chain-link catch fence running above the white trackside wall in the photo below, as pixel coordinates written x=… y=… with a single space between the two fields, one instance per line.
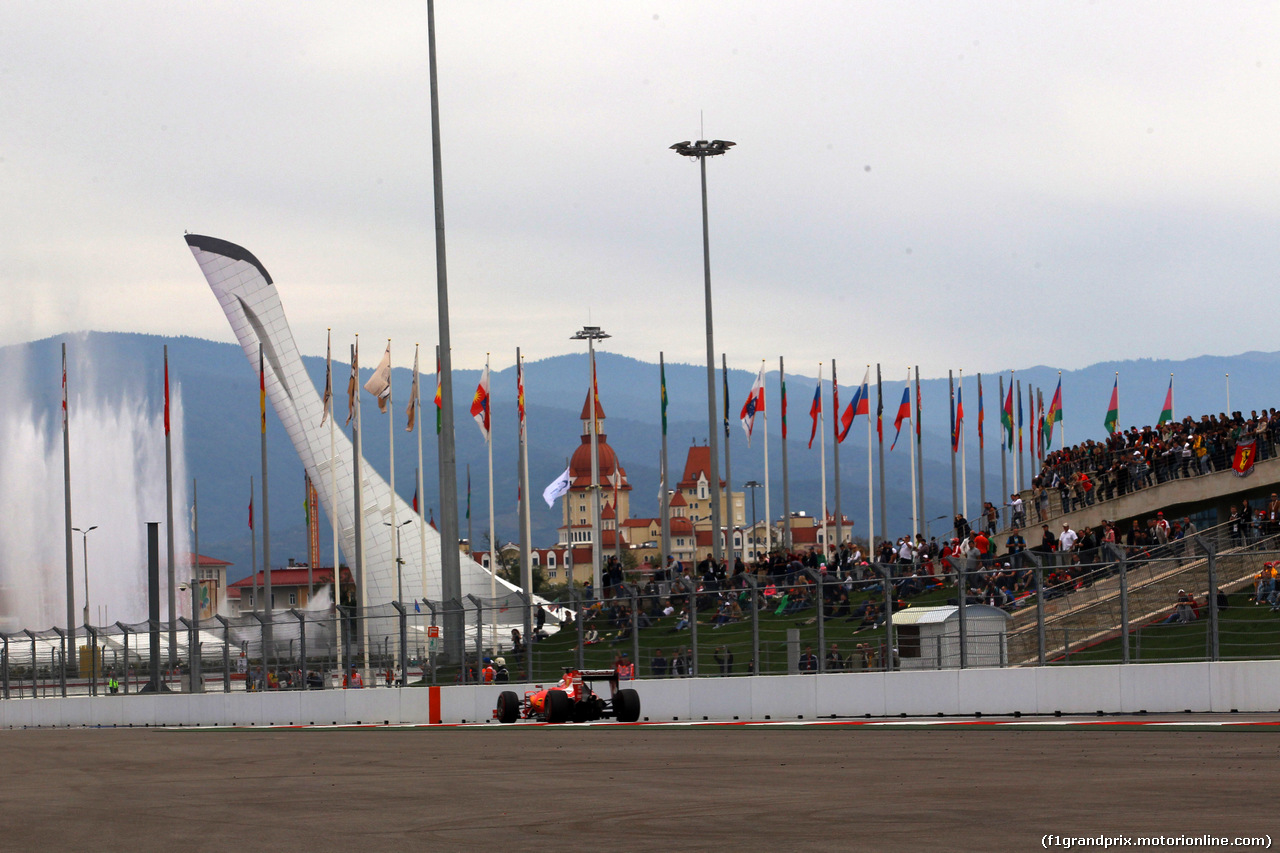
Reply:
x=1213 y=597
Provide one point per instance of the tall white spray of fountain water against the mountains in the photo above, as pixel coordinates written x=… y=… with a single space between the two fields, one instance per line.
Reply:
x=118 y=485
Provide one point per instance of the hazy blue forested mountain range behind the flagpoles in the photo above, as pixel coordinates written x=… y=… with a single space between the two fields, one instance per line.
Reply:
x=218 y=390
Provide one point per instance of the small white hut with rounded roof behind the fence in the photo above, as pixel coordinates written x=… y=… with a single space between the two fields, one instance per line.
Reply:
x=929 y=638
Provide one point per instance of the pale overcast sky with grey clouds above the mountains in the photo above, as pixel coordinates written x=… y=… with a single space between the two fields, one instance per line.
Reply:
x=957 y=185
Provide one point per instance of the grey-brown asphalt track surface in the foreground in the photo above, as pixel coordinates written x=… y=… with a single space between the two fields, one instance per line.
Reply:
x=892 y=786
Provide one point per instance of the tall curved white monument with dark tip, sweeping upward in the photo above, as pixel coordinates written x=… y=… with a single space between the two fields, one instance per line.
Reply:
x=250 y=299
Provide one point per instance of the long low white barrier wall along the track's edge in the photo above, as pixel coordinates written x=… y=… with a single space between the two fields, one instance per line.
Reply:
x=1156 y=688
